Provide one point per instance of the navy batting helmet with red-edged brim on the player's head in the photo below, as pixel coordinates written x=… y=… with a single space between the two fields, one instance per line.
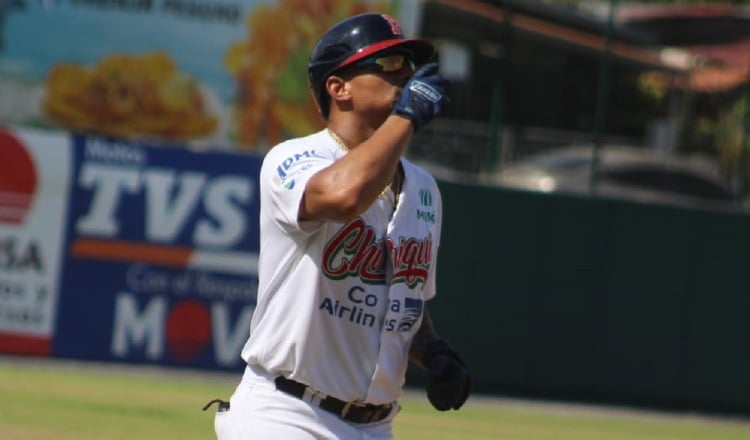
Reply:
x=354 y=39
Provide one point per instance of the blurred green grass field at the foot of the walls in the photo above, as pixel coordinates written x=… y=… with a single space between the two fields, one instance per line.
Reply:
x=40 y=400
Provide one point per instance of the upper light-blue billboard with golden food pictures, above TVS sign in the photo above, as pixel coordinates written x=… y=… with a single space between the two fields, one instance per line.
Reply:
x=216 y=74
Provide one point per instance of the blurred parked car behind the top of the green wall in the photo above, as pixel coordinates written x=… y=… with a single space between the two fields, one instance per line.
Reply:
x=623 y=172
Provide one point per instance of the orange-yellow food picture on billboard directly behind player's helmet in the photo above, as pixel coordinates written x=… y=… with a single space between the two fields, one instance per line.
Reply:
x=272 y=100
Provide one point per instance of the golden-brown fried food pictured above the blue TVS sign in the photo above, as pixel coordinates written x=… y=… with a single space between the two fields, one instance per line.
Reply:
x=128 y=95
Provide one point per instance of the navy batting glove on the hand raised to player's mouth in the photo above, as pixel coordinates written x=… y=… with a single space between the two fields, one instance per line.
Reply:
x=423 y=96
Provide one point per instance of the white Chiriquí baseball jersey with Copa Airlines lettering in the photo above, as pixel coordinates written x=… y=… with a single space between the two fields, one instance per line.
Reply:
x=338 y=304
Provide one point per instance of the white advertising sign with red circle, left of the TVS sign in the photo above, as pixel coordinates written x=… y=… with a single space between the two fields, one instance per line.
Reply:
x=34 y=178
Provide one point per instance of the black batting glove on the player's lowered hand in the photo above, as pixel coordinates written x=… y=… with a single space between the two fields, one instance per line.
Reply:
x=449 y=381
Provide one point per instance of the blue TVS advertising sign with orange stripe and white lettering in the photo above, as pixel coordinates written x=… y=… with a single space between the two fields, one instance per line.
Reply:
x=161 y=250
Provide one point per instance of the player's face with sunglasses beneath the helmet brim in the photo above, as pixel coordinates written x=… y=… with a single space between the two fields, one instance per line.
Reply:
x=376 y=82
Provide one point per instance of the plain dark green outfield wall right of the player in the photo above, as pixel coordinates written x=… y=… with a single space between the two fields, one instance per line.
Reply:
x=580 y=298
